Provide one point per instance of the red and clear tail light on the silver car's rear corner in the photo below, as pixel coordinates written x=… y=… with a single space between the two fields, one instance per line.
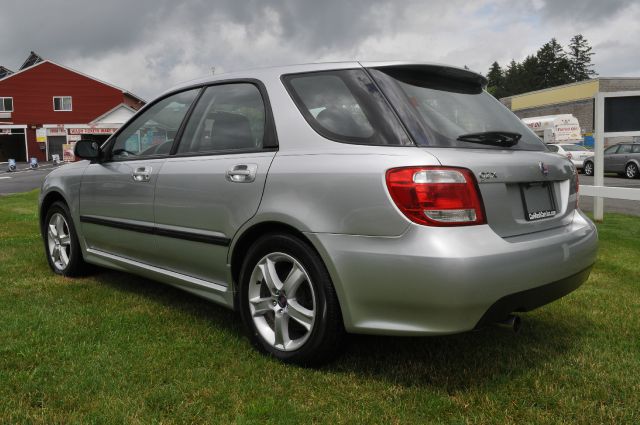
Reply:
x=436 y=196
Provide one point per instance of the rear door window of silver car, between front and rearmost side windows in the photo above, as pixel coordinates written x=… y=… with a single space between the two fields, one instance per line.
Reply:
x=227 y=117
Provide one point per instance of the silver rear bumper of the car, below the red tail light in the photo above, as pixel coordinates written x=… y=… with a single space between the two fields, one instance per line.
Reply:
x=432 y=281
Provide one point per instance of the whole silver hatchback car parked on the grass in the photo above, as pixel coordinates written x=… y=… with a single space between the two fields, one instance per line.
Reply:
x=324 y=199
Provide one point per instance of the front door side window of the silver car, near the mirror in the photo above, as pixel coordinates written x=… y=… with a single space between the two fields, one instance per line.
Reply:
x=152 y=132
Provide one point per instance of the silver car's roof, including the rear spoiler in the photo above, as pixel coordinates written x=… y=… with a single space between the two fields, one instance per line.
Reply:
x=265 y=72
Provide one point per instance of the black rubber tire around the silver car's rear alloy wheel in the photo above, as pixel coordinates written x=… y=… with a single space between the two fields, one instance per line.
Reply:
x=324 y=340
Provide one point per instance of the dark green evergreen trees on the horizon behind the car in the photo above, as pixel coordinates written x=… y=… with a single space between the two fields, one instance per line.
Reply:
x=550 y=66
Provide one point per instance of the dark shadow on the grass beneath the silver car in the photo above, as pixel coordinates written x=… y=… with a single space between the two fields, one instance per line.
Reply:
x=449 y=363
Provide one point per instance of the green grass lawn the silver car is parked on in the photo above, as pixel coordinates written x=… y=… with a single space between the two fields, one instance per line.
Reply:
x=115 y=348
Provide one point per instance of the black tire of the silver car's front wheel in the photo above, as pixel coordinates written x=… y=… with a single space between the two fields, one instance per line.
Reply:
x=75 y=266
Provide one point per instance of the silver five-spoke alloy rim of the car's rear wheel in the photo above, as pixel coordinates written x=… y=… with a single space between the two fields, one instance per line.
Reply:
x=282 y=301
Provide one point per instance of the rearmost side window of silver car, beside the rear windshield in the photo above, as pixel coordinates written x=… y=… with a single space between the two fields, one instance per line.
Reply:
x=346 y=106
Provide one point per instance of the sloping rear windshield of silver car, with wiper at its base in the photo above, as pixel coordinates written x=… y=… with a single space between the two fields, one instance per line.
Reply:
x=437 y=110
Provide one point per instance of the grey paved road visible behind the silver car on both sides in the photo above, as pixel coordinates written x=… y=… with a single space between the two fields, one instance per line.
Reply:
x=25 y=180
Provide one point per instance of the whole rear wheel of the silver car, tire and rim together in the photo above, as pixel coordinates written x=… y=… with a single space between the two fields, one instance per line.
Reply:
x=288 y=303
